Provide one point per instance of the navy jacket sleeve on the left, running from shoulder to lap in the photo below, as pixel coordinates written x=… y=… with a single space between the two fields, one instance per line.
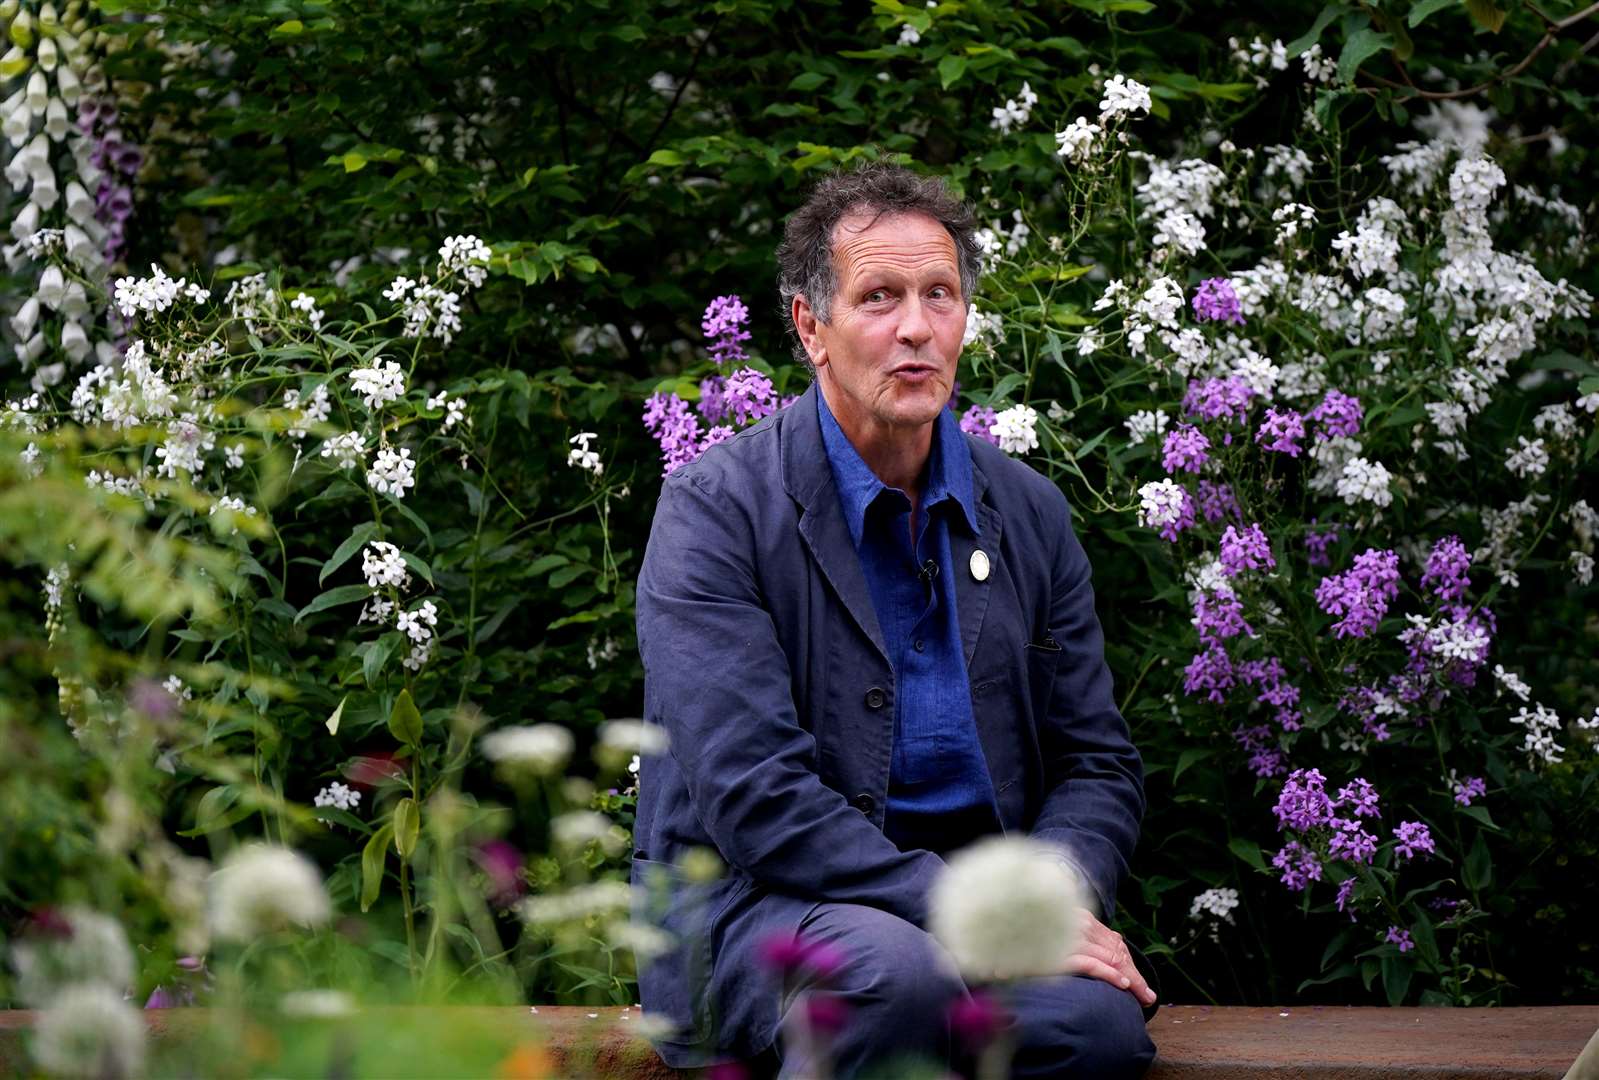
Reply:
x=719 y=681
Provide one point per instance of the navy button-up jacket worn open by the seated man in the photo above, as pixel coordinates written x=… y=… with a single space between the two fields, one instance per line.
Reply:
x=765 y=665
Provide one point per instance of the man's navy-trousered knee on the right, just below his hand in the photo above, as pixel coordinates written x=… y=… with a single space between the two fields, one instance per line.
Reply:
x=1075 y=1026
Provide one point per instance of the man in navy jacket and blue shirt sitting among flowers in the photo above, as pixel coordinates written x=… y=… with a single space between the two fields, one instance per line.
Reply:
x=872 y=641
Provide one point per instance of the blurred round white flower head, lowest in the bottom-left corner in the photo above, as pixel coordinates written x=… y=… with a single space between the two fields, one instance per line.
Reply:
x=90 y=1031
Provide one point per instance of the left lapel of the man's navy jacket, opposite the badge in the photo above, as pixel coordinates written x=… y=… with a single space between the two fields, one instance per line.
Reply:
x=808 y=478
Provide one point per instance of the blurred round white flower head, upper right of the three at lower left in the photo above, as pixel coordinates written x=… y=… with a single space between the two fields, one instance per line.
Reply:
x=263 y=889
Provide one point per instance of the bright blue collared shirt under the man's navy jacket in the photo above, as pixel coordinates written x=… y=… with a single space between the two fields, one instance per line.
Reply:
x=939 y=790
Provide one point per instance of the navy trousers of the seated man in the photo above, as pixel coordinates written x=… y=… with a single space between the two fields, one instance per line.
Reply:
x=899 y=983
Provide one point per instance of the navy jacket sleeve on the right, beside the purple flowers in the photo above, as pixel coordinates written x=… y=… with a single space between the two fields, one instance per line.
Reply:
x=1093 y=775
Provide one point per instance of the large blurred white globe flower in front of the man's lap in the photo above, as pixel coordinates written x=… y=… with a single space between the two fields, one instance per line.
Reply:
x=1007 y=908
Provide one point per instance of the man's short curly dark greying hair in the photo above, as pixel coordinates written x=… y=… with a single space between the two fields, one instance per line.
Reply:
x=805 y=258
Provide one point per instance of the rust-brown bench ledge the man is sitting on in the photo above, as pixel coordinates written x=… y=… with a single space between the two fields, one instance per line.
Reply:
x=1194 y=1042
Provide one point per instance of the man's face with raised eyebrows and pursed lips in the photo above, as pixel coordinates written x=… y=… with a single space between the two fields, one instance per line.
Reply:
x=887 y=361
